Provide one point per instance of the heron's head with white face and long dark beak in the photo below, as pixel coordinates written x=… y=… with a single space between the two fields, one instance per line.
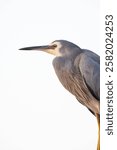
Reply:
x=56 y=48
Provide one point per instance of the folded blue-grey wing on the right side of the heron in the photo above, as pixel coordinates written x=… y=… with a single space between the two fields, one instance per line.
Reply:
x=89 y=66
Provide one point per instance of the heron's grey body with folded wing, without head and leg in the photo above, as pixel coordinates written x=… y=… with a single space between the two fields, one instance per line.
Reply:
x=80 y=75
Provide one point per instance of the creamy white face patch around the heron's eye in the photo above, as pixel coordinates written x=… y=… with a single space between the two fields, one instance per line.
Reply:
x=55 y=51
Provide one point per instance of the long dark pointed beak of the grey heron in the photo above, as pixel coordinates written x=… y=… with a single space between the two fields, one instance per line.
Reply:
x=41 y=48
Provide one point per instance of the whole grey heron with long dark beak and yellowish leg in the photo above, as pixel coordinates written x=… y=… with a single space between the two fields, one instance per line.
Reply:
x=78 y=70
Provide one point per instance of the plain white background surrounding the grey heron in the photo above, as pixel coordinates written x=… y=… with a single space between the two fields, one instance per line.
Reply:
x=36 y=112
